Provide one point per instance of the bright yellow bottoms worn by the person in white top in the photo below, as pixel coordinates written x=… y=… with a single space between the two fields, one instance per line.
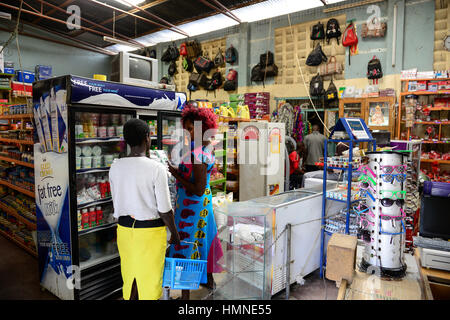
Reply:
x=142 y=253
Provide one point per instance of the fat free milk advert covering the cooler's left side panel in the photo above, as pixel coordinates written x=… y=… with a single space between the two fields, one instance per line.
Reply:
x=51 y=173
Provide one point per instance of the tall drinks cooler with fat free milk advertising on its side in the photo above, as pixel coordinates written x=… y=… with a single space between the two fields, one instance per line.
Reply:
x=79 y=133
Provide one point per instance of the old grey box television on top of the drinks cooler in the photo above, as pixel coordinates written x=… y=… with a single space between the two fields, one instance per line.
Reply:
x=134 y=69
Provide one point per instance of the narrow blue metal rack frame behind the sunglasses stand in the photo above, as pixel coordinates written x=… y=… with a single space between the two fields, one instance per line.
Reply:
x=352 y=141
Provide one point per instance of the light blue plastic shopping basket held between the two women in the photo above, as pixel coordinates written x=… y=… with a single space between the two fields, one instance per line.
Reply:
x=183 y=274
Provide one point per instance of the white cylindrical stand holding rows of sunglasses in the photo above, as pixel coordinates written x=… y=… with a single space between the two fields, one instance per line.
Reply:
x=381 y=214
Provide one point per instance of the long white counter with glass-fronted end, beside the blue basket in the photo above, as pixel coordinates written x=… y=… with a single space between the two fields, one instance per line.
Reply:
x=257 y=243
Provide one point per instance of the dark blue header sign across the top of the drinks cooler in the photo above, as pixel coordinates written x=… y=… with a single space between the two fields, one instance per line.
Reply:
x=96 y=92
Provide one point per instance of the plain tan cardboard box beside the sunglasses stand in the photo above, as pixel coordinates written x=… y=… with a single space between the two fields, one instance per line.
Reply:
x=341 y=257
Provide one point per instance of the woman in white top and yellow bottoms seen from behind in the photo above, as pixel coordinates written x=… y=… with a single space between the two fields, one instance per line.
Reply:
x=142 y=206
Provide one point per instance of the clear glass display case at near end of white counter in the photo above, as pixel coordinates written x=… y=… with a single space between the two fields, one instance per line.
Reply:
x=244 y=235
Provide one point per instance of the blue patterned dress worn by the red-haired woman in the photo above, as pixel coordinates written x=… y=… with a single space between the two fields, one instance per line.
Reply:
x=194 y=216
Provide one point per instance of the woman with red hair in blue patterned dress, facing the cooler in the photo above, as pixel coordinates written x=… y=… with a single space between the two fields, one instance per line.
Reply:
x=194 y=215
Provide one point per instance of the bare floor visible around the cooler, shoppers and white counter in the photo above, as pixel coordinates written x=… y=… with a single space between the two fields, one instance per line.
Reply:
x=19 y=280
